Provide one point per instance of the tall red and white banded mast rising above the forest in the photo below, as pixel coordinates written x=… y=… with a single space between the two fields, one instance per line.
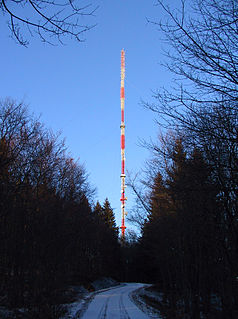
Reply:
x=123 y=198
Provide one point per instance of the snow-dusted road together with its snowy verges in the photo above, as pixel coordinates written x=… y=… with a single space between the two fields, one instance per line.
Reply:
x=114 y=303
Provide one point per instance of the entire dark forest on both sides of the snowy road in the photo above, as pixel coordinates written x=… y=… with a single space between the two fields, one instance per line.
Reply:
x=53 y=234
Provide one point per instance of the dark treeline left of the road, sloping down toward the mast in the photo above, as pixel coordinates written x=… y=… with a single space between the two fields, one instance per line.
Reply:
x=51 y=235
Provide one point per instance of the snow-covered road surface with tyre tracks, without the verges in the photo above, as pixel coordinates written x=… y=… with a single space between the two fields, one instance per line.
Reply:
x=115 y=304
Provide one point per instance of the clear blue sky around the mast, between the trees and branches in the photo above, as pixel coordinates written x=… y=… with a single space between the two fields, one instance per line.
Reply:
x=76 y=88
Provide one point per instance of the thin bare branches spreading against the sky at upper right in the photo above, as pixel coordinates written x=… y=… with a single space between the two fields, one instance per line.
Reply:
x=202 y=54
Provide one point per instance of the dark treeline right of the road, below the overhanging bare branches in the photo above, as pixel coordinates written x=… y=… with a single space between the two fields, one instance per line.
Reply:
x=188 y=246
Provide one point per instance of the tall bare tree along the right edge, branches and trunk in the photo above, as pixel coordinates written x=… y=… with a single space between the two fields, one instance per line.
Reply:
x=201 y=38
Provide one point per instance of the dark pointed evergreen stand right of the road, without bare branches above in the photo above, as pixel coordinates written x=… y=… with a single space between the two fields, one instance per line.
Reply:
x=188 y=244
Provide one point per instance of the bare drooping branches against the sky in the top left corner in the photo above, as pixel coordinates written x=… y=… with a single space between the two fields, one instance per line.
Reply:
x=51 y=20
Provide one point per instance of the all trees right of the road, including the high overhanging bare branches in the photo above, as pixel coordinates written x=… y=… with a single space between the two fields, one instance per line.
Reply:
x=189 y=243
